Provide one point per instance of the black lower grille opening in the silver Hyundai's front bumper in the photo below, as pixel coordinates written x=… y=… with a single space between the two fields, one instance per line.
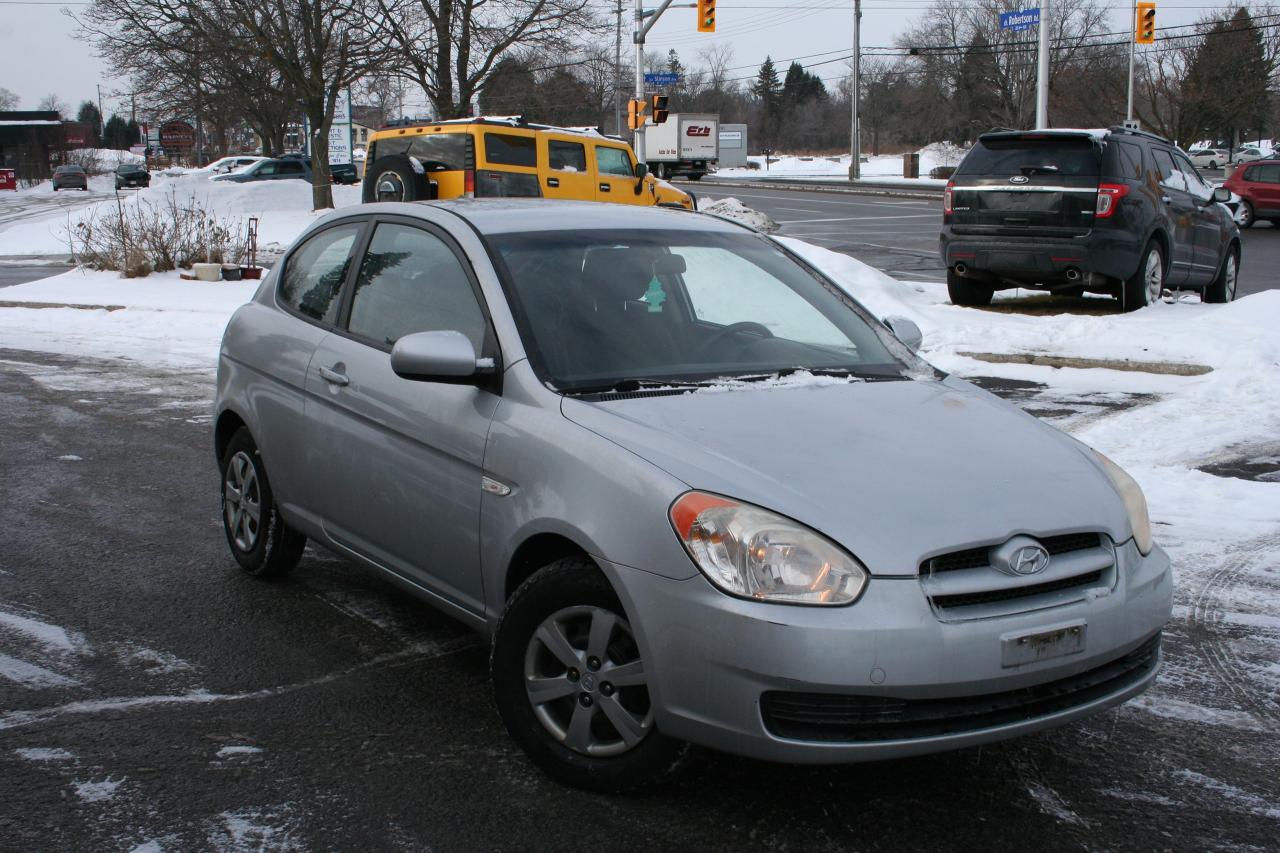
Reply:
x=856 y=719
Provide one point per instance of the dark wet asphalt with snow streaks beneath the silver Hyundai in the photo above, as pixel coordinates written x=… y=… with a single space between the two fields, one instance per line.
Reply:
x=157 y=696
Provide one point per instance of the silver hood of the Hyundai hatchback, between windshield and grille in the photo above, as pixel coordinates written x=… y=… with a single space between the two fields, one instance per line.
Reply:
x=897 y=472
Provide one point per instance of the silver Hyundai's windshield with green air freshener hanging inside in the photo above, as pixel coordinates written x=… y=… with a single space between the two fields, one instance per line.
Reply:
x=605 y=311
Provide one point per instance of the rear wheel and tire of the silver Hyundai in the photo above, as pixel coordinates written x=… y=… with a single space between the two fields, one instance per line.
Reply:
x=271 y=549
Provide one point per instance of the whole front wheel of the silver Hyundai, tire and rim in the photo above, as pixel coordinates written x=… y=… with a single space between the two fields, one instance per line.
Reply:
x=572 y=686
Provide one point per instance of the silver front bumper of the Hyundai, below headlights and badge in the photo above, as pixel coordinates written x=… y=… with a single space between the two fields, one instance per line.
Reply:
x=721 y=665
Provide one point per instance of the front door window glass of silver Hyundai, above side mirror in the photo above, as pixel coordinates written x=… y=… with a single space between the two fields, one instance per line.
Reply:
x=410 y=281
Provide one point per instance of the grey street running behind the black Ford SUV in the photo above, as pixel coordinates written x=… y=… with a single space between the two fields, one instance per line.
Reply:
x=900 y=236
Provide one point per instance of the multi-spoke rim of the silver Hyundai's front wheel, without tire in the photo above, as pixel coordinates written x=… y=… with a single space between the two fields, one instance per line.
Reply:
x=587 y=683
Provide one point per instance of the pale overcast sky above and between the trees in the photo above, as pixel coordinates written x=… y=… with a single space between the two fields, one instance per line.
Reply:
x=39 y=54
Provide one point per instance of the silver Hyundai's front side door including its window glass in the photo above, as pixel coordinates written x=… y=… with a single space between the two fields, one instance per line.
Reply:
x=400 y=460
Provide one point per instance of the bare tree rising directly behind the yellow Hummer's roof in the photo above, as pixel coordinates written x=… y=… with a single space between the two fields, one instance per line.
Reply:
x=450 y=48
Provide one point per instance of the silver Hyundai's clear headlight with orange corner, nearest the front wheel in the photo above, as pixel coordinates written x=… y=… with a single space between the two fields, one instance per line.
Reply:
x=756 y=554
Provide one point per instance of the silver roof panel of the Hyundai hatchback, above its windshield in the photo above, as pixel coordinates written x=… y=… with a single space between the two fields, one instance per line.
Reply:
x=516 y=216
